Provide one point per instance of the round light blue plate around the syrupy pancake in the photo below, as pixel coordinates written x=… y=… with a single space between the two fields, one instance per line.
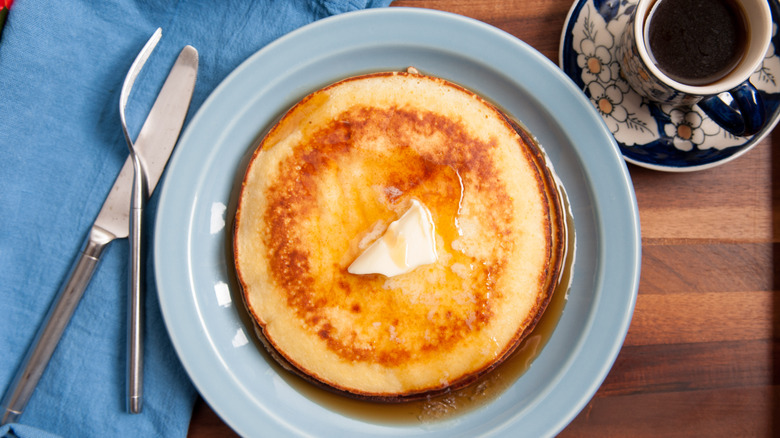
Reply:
x=194 y=269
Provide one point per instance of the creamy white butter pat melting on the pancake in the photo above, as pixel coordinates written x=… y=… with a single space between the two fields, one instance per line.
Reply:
x=409 y=242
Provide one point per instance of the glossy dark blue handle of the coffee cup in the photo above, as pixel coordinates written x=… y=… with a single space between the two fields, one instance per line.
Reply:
x=751 y=116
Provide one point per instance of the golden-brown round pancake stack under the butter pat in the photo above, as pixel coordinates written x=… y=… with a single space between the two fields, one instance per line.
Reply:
x=327 y=181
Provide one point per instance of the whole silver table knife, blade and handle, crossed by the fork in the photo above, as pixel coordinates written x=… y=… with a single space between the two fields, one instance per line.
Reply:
x=156 y=140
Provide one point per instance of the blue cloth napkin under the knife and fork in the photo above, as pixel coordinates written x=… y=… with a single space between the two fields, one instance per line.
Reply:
x=61 y=146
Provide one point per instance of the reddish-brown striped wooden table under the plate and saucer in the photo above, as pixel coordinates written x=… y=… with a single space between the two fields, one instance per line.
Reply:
x=702 y=356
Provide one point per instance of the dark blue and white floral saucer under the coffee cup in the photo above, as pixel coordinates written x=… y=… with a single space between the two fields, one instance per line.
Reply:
x=660 y=137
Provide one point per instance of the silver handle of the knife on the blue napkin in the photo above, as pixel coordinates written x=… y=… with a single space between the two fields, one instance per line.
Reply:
x=49 y=333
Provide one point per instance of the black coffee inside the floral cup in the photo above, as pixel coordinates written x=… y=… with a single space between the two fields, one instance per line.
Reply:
x=696 y=42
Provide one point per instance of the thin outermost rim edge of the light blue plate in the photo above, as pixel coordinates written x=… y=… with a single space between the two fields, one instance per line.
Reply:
x=633 y=234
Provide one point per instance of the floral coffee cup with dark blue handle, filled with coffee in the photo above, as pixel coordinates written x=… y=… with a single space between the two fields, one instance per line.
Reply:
x=689 y=52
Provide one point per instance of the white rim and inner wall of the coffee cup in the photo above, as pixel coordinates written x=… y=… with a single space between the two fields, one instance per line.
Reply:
x=759 y=39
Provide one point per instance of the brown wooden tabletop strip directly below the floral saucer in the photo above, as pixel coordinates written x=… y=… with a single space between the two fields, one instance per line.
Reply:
x=731 y=202
